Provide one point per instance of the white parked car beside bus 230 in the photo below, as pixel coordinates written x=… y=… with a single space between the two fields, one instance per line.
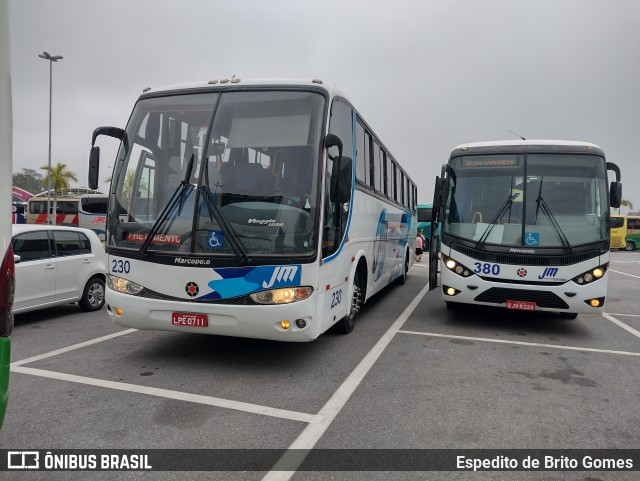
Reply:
x=57 y=265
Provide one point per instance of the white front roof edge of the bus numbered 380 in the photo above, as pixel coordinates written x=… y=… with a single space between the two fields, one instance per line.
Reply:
x=498 y=146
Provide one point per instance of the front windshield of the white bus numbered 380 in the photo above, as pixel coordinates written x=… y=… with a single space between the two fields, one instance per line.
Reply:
x=531 y=200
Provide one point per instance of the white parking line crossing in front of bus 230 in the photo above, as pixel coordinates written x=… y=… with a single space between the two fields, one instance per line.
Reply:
x=166 y=393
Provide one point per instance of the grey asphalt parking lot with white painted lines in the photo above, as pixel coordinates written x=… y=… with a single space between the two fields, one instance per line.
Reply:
x=411 y=375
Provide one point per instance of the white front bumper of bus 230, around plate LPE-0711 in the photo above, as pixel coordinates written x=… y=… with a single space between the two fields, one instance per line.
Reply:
x=251 y=321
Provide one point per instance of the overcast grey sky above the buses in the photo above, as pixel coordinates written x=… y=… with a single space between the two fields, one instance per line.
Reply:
x=426 y=74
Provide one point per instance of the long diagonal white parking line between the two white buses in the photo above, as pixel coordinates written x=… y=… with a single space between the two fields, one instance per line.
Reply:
x=314 y=431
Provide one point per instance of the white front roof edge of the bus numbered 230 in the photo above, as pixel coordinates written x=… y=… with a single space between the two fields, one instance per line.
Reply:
x=234 y=83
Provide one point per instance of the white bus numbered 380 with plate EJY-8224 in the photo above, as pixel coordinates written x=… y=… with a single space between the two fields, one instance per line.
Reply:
x=525 y=225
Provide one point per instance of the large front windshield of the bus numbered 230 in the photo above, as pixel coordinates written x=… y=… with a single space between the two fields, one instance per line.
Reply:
x=221 y=174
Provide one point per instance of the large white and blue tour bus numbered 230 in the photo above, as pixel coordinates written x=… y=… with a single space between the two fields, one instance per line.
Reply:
x=245 y=213
